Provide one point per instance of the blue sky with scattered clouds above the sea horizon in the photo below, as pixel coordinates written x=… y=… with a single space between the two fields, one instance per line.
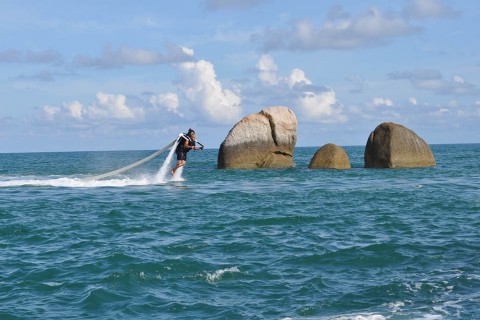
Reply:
x=123 y=75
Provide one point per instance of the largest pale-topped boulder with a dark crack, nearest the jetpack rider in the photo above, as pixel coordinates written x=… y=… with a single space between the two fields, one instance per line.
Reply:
x=262 y=140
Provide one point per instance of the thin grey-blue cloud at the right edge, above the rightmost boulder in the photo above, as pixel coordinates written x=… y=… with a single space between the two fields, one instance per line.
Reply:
x=433 y=80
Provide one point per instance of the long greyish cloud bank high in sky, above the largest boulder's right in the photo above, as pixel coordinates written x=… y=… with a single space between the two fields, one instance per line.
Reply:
x=339 y=31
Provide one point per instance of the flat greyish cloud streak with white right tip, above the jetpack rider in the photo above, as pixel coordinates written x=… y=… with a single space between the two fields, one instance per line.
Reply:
x=117 y=58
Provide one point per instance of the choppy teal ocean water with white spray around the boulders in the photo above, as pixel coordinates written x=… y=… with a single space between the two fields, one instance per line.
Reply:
x=238 y=244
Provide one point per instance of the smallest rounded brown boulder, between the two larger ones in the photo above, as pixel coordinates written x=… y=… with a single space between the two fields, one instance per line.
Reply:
x=330 y=156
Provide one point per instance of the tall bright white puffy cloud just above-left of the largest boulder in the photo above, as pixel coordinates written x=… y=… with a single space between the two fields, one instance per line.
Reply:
x=200 y=86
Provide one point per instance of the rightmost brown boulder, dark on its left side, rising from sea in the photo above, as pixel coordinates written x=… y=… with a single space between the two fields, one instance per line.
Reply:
x=392 y=145
